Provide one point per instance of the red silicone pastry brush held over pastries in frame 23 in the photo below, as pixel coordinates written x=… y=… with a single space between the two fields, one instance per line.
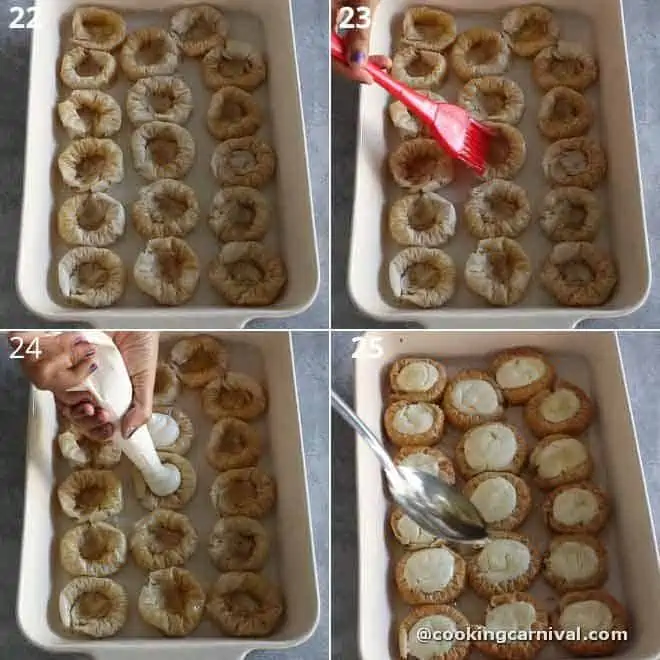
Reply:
x=458 y=133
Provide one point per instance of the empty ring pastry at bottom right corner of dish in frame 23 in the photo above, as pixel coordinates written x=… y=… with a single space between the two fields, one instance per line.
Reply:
x=579 y=274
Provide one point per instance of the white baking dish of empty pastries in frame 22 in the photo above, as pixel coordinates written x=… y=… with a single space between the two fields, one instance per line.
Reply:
x=269 y=26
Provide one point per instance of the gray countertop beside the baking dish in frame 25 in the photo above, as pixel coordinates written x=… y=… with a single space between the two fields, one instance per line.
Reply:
x=640 y=350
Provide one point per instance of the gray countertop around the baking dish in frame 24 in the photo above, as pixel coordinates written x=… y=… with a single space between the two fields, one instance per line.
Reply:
x=311 y=361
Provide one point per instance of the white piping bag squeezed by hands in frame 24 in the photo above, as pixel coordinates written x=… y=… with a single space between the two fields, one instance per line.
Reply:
x=111 y=386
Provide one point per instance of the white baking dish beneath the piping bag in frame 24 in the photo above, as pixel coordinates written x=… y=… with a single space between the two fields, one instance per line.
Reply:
x=292 y=565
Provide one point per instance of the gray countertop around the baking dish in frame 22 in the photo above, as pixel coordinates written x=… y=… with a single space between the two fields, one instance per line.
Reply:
x=311 y=27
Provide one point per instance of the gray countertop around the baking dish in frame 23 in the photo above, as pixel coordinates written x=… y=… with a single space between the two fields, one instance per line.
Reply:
x=643 y=25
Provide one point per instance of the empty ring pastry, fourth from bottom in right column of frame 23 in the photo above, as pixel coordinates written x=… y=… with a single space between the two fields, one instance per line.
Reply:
x=564 y=113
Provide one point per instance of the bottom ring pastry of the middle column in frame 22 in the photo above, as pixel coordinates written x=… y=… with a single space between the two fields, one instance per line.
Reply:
x=167 y=270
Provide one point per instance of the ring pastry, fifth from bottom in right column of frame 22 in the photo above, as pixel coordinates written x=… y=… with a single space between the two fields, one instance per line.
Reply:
x=236 y=64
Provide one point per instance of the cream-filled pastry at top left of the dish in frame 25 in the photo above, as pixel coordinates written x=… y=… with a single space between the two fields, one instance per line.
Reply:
x=417 y=379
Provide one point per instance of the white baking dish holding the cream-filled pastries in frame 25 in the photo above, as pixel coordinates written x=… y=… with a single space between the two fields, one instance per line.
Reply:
x=592 y=361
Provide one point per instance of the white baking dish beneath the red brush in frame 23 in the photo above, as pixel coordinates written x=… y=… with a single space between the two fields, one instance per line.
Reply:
x=600 y=25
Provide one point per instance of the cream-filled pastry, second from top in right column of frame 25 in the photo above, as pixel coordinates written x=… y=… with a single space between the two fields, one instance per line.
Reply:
x=562 y=408
